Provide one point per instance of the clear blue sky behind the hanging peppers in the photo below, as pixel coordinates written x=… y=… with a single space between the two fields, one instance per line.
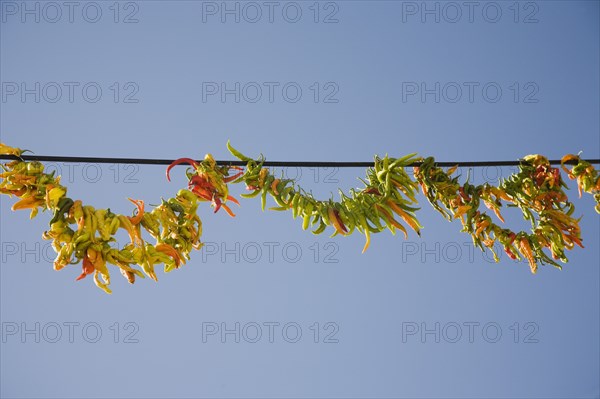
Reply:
x=426 y=317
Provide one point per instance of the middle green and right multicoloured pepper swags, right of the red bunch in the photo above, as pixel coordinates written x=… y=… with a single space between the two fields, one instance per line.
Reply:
x=537 y=189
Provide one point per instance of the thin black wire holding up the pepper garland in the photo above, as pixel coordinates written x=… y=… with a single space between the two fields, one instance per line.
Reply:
x=301 y=164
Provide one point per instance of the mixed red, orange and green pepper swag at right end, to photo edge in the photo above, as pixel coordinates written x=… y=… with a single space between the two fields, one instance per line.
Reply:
x=537 y=190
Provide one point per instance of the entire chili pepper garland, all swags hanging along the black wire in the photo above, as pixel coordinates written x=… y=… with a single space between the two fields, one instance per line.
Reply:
x=81 y=233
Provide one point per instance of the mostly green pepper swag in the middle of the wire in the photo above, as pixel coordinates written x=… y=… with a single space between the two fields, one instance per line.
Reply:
x=387 y=194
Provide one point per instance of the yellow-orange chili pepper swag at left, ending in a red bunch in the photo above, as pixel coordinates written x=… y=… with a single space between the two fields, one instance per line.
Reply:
x=82 y=233
